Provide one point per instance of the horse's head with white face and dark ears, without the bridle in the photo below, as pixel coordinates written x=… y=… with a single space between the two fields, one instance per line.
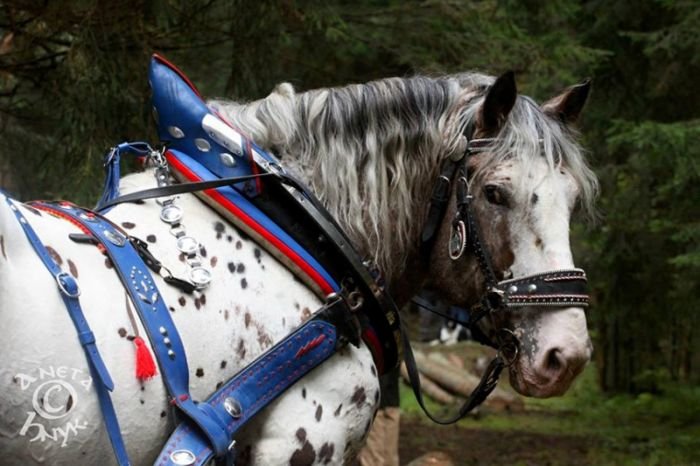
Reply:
x=526 y=178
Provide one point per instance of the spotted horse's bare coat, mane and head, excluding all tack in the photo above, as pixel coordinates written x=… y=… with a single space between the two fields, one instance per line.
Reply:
x=371 y=153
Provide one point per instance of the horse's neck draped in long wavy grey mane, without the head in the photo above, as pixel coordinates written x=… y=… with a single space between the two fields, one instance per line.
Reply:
x=369 y=152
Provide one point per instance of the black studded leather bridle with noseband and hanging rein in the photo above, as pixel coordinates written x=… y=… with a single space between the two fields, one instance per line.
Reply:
x=557 y=288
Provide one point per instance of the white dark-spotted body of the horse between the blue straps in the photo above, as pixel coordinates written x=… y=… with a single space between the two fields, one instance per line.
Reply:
x=252 y=302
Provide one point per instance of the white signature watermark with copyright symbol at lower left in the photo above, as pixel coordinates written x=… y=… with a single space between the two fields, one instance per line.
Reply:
x=55 y=394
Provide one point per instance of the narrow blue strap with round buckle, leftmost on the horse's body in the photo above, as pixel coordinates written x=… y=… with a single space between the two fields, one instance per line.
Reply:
x=70 y=292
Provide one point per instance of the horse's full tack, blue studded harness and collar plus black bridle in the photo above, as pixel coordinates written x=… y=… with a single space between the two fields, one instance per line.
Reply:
x=251 y=188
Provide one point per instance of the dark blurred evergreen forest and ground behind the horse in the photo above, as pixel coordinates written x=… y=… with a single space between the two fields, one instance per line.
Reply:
x=73 y=83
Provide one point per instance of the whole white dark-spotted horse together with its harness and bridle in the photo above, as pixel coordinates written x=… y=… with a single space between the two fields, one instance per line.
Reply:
x=217 y=323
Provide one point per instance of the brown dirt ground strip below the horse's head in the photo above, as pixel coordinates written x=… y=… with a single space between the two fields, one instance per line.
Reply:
x=486 y=447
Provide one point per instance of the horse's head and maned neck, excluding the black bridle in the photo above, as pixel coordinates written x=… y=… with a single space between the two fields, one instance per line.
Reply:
x=372 y=152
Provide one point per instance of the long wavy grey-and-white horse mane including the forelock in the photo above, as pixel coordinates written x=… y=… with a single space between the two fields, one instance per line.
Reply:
x=369 y=151
